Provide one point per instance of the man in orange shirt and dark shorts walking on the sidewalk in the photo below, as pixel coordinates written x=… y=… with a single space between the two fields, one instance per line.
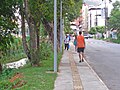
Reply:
x=80 y=46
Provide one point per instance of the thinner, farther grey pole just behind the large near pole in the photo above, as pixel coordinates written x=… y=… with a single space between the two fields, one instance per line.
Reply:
x=61 y=29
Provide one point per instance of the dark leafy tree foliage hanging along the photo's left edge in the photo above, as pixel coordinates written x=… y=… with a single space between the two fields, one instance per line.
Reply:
x=7 y=24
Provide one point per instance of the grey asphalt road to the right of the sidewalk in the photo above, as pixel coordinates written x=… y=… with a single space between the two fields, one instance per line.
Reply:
x=104 y=58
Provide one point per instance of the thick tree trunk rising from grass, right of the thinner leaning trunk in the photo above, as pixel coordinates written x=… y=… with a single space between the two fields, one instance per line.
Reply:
x=33 y=37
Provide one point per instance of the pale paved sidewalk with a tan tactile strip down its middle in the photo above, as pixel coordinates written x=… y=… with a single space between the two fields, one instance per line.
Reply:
x=73 y=75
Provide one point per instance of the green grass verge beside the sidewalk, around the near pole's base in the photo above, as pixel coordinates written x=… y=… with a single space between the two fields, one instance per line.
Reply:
x=39 y=78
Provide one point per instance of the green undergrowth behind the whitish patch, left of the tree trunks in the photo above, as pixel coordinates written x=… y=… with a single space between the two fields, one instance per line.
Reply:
x=14 y=51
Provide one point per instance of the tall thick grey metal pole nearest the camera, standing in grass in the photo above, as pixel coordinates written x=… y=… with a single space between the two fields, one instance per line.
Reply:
x=55 y=35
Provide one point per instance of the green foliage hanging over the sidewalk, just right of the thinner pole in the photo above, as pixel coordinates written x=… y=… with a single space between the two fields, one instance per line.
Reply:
x=71 y=11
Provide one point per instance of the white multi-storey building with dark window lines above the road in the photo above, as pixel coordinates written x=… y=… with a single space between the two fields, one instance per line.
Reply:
x=96 y=13
